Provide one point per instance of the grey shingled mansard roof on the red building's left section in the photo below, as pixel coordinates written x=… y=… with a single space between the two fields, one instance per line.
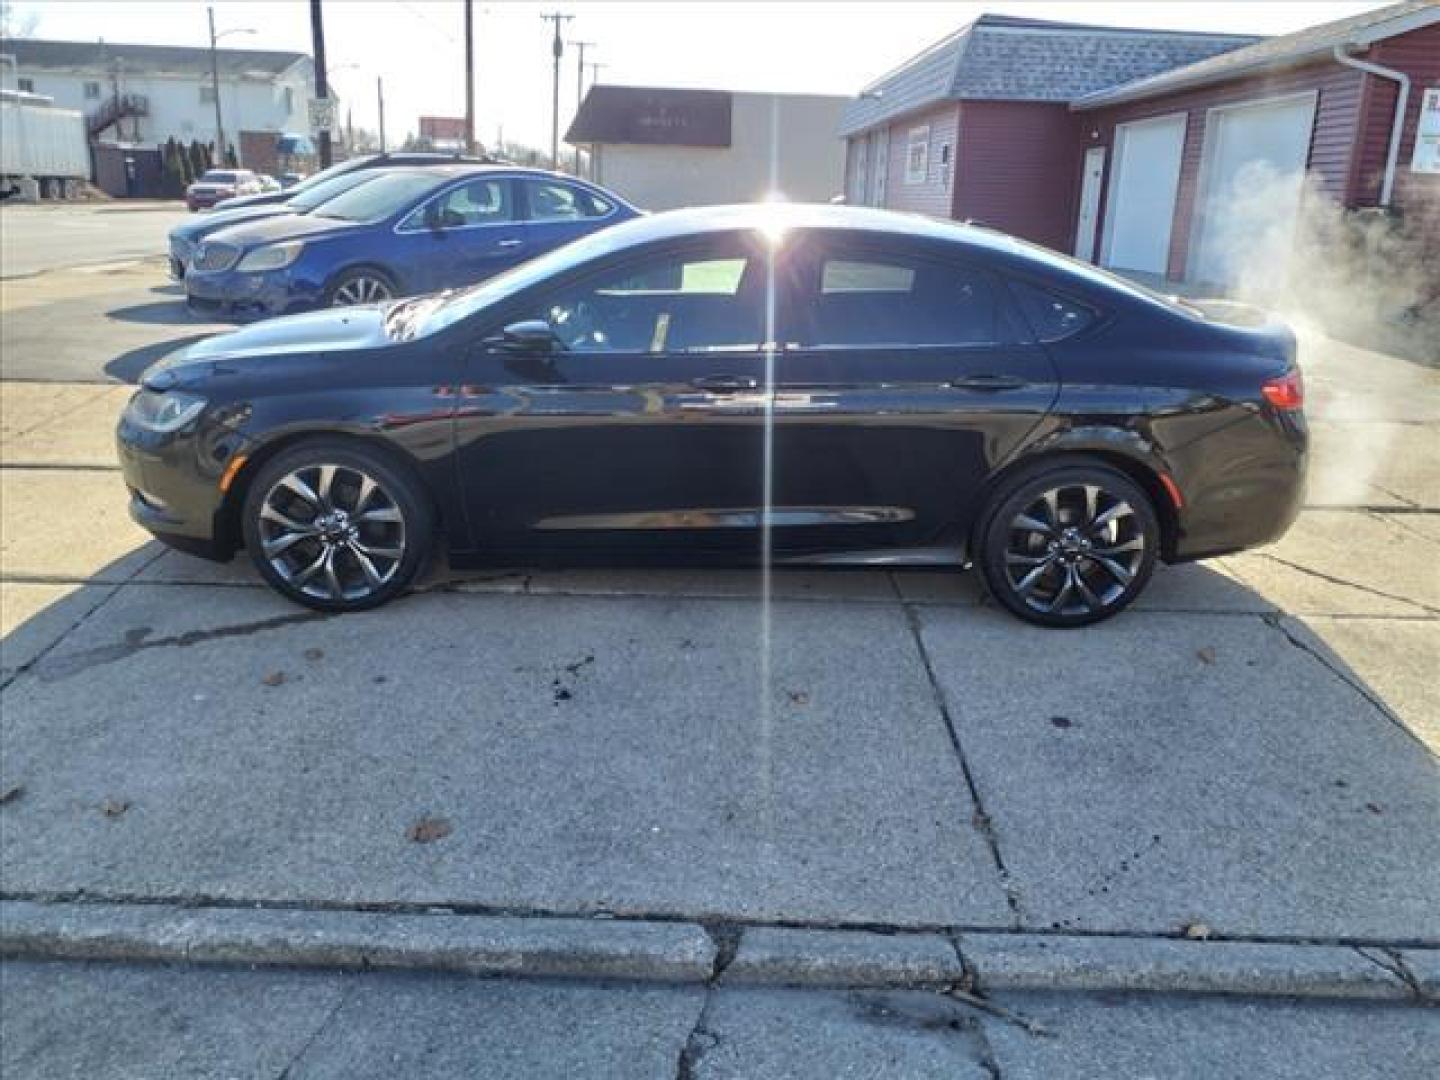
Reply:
x=1003 y=58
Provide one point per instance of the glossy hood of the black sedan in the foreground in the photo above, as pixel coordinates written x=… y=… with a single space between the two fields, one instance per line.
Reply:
x=315 y=333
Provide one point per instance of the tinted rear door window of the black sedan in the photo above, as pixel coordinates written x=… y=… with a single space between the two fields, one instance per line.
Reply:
x=872 y=300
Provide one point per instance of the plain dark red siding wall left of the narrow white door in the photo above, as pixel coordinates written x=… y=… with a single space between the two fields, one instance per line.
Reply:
x=1019 y=169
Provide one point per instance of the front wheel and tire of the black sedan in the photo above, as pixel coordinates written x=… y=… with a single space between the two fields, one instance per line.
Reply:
x=338 y=526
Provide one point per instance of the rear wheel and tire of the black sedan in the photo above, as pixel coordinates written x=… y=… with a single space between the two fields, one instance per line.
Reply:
x=1068 y=545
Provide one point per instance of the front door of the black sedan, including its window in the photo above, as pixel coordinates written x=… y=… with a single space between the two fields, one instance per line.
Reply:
x=642 y=426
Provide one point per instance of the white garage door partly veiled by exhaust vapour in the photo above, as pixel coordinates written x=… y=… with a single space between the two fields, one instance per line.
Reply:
x=1251 y=181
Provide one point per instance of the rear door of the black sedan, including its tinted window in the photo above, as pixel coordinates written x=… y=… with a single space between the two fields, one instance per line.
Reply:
x=905 y=379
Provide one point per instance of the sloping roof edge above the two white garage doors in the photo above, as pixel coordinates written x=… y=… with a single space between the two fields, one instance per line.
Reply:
x=1277 y=53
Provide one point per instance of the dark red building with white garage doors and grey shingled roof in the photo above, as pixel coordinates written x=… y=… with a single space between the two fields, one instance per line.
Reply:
x=1055 y=133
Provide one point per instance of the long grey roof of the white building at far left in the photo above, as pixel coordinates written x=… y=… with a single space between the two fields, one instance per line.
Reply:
x=100 y=58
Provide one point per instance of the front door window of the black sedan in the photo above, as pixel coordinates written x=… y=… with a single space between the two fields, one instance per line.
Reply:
x=669 y=305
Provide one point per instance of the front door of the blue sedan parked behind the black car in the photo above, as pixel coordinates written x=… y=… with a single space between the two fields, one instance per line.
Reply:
x=463 y=235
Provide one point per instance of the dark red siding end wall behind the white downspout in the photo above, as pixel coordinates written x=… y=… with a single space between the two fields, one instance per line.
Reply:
x=1418 y=55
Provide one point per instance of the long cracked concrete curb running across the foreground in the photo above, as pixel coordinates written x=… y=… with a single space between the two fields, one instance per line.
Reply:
x=689 y=953
